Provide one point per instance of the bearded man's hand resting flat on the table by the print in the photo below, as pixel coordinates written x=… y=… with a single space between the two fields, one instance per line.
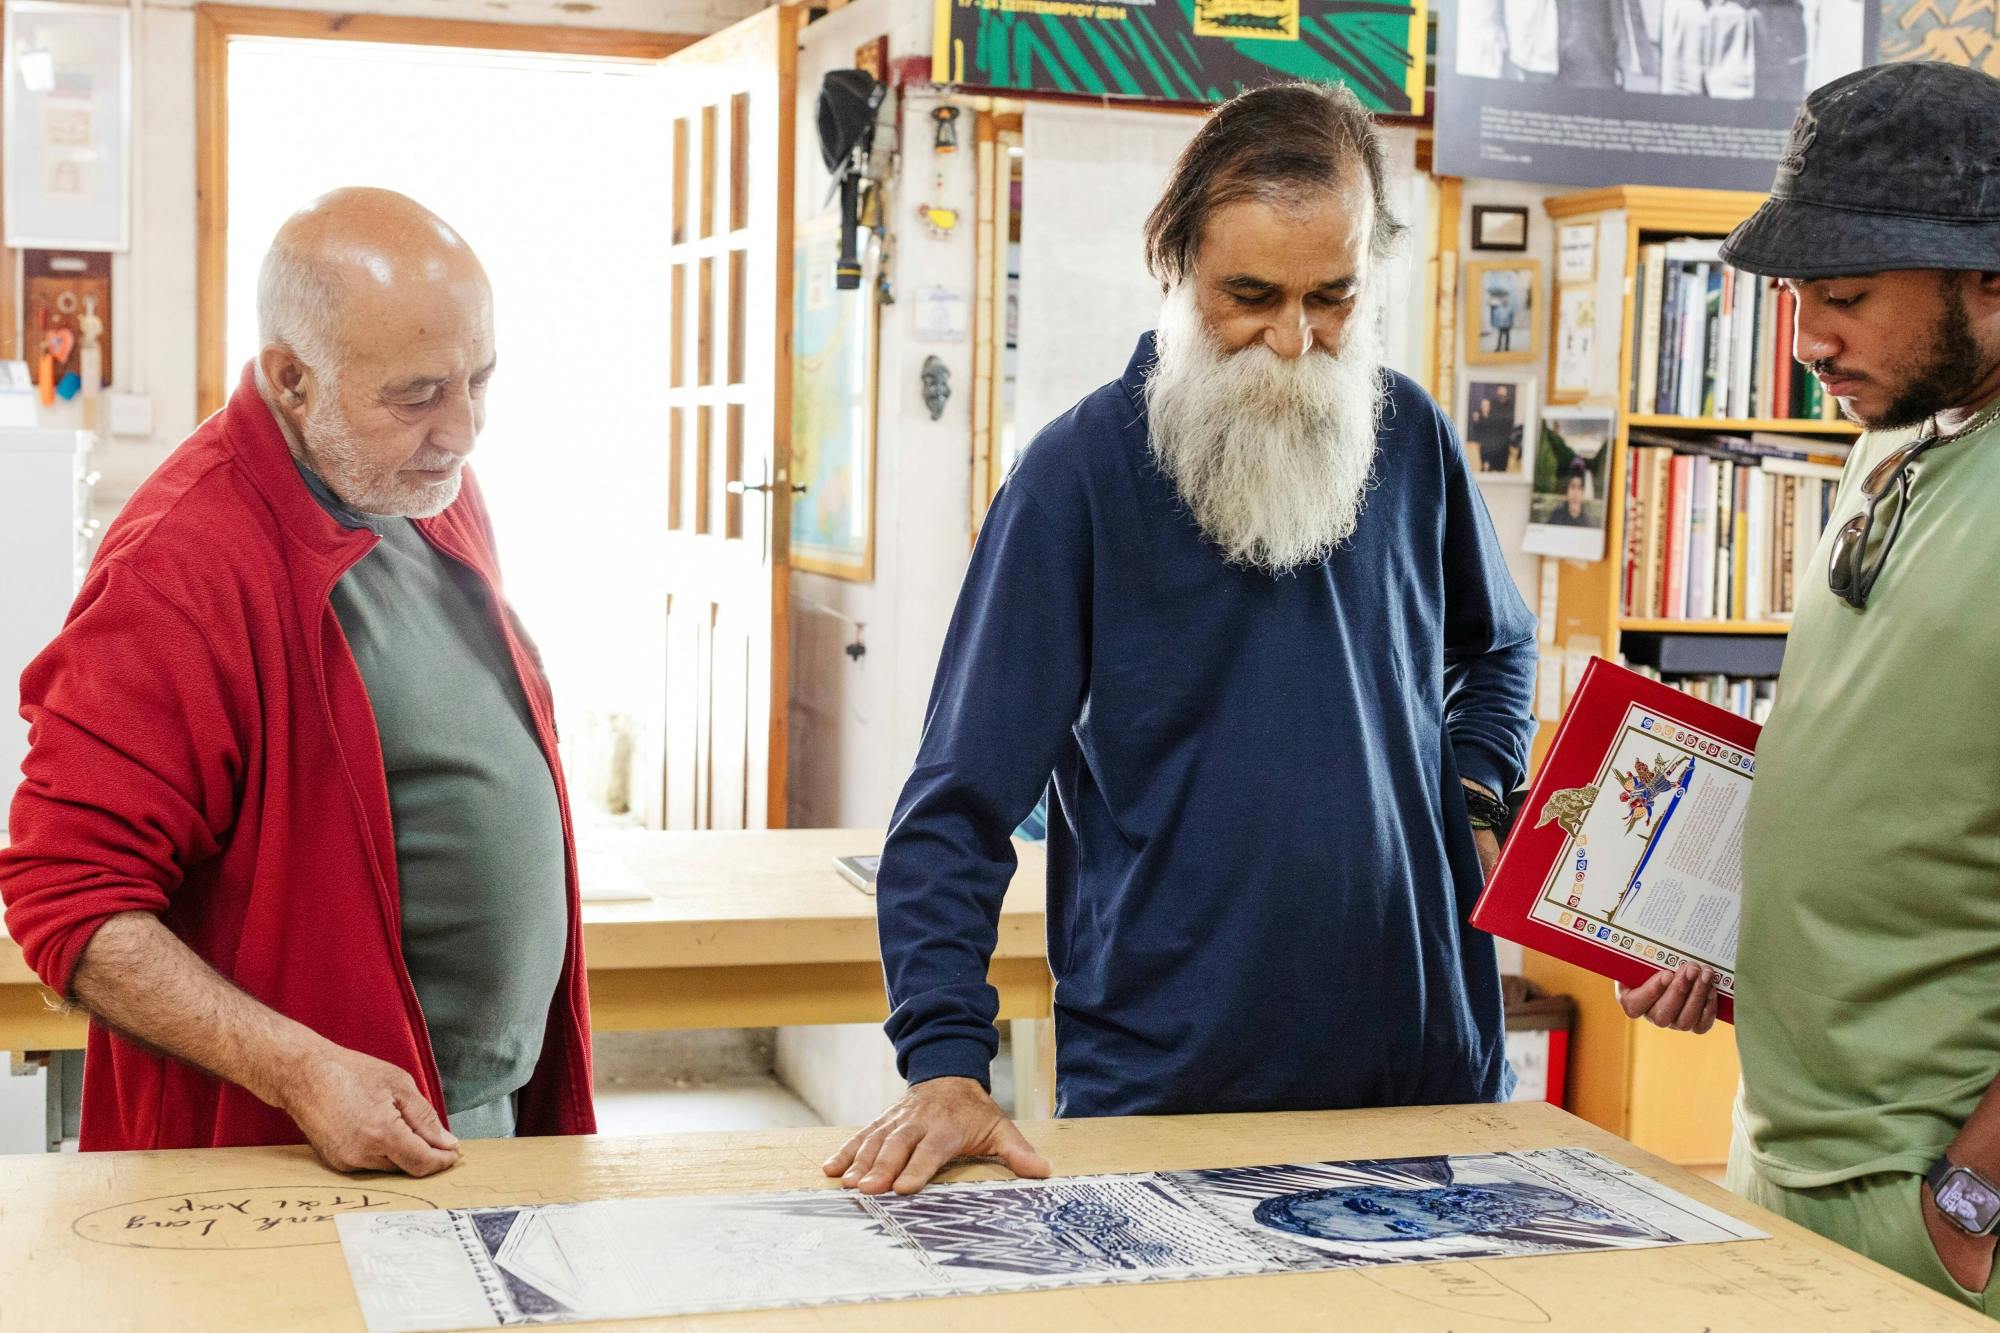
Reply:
x=933 y=1124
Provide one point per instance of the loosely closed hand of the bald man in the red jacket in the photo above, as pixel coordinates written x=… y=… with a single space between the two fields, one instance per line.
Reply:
x=363 y=1114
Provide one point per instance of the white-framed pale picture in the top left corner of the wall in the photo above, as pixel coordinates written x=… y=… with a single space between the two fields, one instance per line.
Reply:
x=67 y=107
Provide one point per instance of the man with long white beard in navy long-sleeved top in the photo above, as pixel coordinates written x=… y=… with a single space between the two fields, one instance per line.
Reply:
x=1245 y=613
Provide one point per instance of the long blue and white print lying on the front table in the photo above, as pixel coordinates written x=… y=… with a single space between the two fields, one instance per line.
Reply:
x=699 y=1254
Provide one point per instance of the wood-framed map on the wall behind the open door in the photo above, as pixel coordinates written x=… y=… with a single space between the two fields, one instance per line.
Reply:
x=833 y=411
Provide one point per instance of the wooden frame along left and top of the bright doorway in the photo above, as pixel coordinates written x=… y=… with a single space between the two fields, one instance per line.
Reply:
x=215 y=25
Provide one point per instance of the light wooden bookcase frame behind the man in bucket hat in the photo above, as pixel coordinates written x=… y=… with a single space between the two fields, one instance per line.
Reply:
x=1667 y=1092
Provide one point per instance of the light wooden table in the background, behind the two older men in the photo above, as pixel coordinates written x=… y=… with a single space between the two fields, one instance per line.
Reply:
x=739 y=930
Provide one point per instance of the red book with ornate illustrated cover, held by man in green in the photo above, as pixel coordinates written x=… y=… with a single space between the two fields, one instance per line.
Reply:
x=1627 y=858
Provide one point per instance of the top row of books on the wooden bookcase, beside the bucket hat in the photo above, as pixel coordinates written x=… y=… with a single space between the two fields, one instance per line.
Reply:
x=1717 y=341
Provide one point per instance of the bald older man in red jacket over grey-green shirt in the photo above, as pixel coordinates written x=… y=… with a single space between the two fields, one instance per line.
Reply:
x=293 y=828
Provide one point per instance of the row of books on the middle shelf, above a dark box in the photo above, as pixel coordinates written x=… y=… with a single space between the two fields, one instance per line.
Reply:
x=1723 y=527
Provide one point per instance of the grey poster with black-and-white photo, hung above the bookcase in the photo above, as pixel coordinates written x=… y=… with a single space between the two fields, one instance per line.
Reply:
x=1669 y=93
